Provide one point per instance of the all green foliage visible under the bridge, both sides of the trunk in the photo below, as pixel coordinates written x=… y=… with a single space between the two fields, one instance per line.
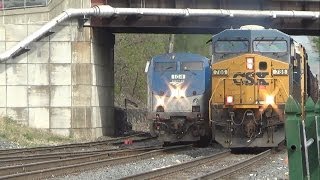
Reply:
x=132 y=51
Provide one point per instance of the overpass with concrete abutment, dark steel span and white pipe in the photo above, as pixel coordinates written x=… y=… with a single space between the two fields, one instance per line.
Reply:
x=57 y=64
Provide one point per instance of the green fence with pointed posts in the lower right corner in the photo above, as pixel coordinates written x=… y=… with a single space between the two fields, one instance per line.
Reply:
x=303 y=136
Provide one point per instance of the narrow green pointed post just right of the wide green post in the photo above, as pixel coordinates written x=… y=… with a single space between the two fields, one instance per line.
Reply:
x=311 y=134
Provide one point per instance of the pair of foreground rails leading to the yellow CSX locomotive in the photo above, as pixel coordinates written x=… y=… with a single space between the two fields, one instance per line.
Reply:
x=175 y=169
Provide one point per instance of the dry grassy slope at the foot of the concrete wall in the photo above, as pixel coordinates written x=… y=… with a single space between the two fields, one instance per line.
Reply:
x=29 y=137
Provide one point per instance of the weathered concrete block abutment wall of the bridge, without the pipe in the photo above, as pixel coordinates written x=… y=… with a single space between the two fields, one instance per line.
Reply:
x=65 y=82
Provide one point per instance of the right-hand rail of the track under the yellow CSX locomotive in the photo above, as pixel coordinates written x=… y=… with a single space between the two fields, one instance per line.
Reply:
x=234 y=168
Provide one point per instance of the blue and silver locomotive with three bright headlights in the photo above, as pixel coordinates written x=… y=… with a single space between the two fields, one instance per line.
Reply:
x=178 y=92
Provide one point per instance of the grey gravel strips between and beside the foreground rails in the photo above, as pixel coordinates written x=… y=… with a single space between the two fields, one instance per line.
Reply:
x=273 y=168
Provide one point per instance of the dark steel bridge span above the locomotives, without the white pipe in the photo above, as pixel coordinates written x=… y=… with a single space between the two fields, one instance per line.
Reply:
x=210 y=25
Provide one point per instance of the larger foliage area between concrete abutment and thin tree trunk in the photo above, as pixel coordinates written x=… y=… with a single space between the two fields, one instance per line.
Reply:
x=132 y=51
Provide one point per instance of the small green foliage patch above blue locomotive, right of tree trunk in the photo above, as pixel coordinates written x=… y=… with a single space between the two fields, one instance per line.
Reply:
x=193 y=43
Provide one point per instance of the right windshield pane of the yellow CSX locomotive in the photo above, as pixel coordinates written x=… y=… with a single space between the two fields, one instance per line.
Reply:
x=270 y=46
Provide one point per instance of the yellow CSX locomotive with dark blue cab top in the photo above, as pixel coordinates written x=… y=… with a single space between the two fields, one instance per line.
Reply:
x=254 y=70
